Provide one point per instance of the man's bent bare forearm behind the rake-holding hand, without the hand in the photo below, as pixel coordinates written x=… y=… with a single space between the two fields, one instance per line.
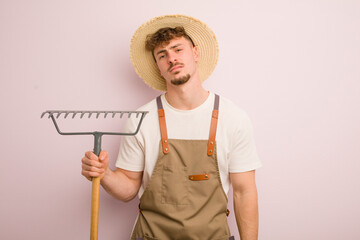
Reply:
x=119 y=185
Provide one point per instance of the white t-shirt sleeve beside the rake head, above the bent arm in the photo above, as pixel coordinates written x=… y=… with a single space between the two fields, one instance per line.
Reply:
x=131 y=151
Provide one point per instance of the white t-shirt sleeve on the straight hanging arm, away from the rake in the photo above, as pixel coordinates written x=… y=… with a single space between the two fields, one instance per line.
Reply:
x=243 y=156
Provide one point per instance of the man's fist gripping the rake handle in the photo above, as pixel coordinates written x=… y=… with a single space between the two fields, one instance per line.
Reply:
x=94 y=166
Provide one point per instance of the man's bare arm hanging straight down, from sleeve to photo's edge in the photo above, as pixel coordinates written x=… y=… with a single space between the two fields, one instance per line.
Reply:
x=245 y=204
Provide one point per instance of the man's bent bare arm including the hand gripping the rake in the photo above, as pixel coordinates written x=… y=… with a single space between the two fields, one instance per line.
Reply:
x=121 y=184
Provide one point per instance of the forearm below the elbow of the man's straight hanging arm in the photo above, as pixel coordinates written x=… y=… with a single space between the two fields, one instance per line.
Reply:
x=246 y=213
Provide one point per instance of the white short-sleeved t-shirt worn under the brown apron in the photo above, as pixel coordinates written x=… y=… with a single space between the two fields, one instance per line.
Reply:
x=235 y=145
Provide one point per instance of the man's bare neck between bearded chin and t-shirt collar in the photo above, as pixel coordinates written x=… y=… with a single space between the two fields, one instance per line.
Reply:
x=186 y=97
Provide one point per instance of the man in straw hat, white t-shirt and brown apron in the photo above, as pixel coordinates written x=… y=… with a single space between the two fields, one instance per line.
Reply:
x=191 y=145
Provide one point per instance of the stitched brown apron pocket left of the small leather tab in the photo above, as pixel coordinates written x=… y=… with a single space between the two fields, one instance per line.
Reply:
x=174 y=189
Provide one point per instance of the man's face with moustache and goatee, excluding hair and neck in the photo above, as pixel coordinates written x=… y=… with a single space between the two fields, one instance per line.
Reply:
x=177 y=61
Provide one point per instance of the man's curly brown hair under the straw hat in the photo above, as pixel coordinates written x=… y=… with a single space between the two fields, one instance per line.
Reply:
x=164 y=35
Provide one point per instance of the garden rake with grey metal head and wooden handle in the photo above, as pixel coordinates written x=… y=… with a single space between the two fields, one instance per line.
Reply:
x=97 y=148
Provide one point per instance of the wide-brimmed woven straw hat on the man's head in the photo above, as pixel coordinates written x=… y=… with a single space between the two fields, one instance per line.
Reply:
x=202 y=36
